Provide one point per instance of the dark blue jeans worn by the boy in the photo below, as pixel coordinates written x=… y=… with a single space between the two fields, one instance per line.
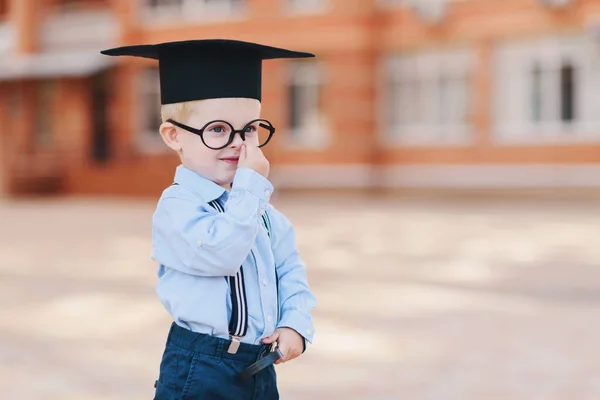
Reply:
x=196 y=366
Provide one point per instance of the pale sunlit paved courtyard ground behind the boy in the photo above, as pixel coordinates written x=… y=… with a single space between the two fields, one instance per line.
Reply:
x=417 y=299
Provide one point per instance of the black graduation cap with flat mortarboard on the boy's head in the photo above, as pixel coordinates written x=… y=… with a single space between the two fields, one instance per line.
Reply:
x=207 y=69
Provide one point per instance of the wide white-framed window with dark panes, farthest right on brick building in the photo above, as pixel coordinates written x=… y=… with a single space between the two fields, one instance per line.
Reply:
x=546 y=89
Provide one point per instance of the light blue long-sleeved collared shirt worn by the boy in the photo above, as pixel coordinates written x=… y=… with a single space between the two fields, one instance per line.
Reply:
x=196 y=247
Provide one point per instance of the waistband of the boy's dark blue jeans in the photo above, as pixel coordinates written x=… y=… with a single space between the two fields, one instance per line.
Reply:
x=213 y=346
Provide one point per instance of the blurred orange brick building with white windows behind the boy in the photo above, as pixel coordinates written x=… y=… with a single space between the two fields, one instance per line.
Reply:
x=405 y=93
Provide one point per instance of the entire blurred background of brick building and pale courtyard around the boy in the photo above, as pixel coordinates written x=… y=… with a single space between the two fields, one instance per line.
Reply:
x=440 y=160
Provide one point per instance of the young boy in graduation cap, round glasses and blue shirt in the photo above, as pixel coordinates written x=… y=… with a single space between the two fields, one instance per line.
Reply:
x=229 y=271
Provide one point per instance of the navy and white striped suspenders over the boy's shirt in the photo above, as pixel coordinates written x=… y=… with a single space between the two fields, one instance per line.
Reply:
x=238 y=324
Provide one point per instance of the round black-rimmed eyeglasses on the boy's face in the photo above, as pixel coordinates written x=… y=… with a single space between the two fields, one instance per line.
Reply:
x=219 y=134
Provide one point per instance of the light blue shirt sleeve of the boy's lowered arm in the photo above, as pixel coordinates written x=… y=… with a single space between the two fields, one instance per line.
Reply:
x=296 y=298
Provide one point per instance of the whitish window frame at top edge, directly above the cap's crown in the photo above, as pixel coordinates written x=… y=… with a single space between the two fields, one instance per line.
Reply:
x=193 y=11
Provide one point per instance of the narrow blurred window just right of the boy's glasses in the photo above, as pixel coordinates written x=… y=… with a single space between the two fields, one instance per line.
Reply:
x=307 y=125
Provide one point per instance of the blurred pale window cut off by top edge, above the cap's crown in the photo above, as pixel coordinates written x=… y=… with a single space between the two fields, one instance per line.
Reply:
x=177 y=9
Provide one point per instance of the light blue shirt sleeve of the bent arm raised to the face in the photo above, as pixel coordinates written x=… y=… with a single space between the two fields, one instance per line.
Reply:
x=190 y=237
